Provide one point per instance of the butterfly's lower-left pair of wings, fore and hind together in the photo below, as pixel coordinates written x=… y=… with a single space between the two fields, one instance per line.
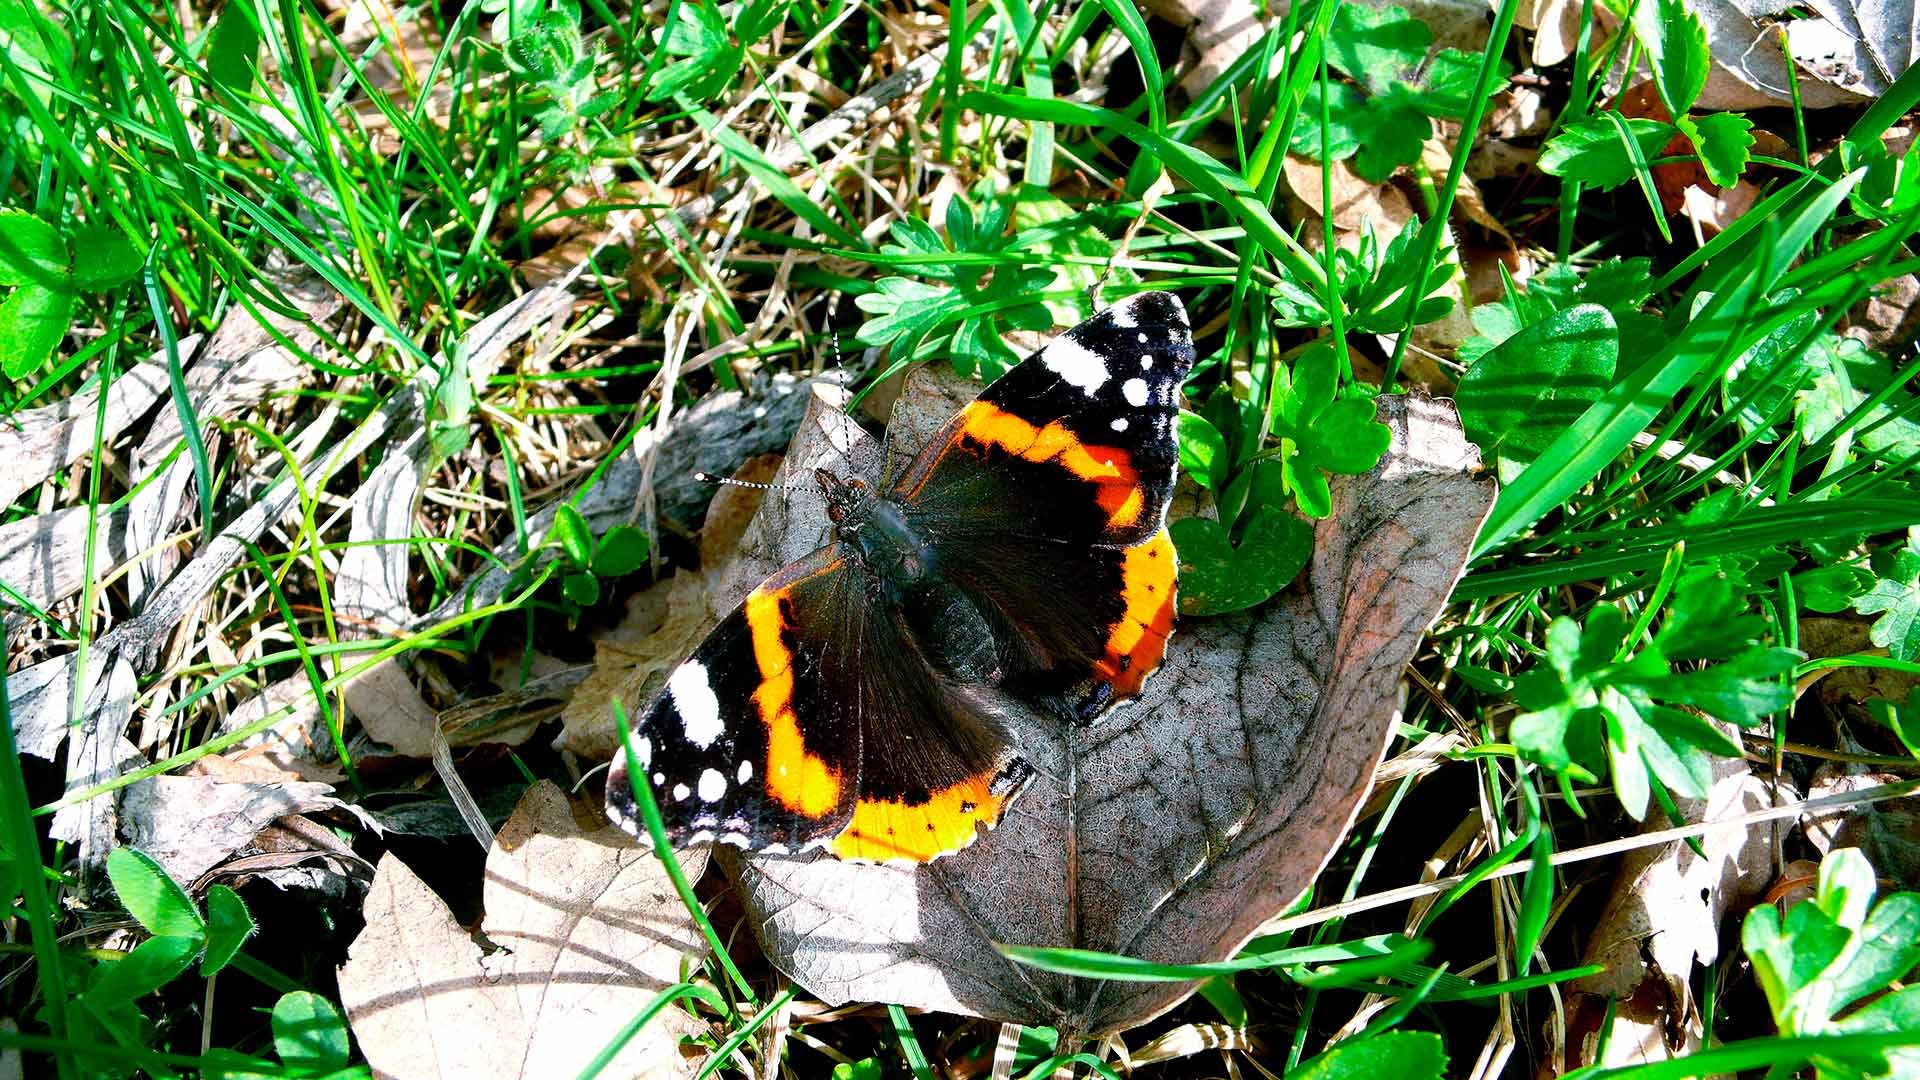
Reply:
x=813 y=720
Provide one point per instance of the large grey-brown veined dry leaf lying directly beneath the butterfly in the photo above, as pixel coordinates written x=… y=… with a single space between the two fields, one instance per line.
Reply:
x=1174 y=829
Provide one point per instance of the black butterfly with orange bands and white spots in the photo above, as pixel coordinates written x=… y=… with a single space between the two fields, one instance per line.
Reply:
x=865 y=699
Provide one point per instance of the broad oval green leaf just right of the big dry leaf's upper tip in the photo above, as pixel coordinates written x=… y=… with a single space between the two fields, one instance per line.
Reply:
x=1525 y=391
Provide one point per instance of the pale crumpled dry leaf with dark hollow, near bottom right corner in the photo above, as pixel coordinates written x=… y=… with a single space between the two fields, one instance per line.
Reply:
x=1666 y=916
